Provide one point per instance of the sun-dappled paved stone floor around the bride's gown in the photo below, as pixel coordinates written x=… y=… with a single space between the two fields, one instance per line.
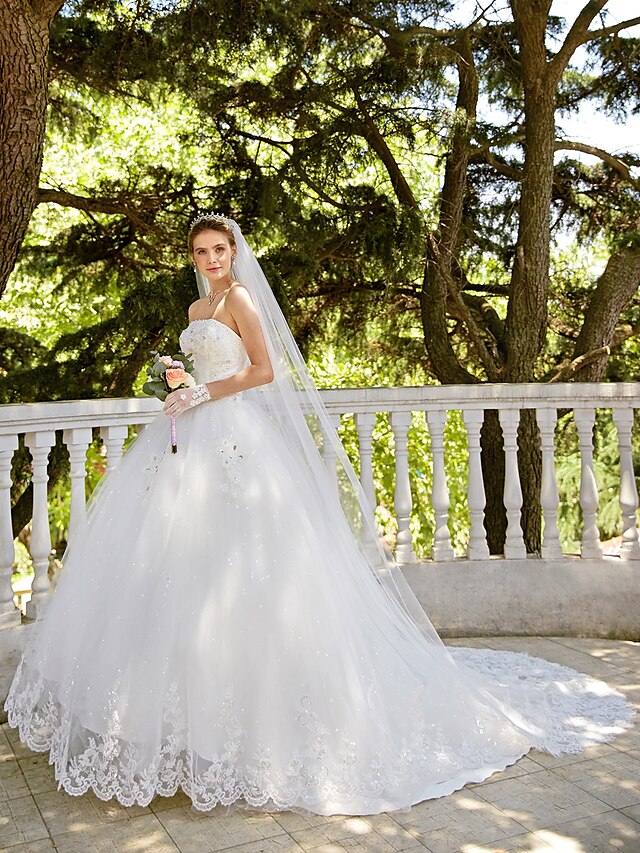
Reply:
x=574 y=804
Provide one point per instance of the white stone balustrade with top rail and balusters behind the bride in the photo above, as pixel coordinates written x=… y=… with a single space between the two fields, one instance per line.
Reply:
x=39 y=422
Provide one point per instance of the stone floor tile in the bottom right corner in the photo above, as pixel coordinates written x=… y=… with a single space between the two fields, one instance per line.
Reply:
x=601 y=833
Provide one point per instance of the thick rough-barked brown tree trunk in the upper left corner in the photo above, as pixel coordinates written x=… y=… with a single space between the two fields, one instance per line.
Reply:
x=24 y=43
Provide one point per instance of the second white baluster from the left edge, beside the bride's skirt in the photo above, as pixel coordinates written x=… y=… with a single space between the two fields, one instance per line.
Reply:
x=39 y=444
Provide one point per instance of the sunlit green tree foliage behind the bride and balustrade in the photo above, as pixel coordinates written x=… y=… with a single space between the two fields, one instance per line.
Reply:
x=300 y=119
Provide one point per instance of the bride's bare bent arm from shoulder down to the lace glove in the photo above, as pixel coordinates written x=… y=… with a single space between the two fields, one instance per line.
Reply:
x=259 y=372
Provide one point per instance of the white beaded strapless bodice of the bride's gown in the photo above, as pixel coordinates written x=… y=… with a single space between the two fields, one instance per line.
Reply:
x=216 y=349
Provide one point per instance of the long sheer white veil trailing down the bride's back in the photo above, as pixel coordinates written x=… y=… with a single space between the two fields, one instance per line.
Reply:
x=295 y=407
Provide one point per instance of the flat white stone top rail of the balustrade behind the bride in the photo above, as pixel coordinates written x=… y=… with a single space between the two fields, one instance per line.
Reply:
x=72 y=414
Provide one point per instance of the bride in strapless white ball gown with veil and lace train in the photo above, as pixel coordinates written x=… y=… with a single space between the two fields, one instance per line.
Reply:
x=228 y=624
